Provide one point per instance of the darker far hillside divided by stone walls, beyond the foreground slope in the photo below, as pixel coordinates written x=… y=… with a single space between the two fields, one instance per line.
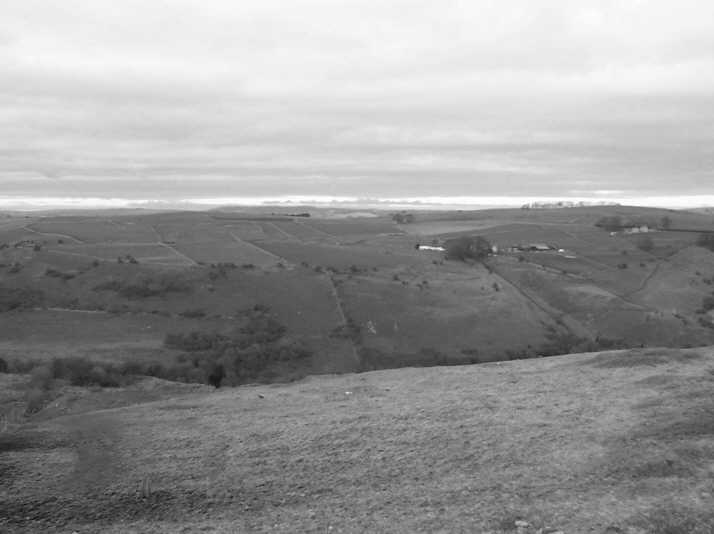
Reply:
x=355 y=290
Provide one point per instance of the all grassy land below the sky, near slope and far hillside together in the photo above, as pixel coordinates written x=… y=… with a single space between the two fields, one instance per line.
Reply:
x=163 y=367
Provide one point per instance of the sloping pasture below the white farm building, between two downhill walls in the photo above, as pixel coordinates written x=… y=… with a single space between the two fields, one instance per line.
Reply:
x=462 y=313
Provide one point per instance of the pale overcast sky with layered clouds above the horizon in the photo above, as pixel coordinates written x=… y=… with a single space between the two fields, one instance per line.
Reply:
x=208 y=101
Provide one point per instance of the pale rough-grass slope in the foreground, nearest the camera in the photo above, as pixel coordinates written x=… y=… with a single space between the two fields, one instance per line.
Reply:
x=605 y=443
